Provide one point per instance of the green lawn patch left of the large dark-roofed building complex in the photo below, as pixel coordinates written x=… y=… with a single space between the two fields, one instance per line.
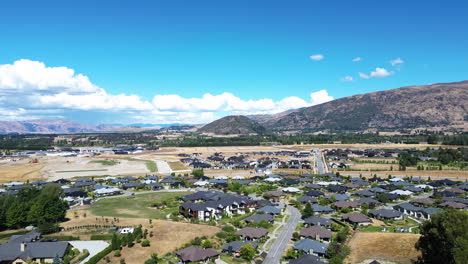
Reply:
x=137 y=206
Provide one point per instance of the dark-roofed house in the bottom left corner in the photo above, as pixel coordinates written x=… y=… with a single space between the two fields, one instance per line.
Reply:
x=20 y=248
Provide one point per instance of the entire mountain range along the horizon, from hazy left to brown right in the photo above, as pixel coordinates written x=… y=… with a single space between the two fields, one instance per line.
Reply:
x=442 y=107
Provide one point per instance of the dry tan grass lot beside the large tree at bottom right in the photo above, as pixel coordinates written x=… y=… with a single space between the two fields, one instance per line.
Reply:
x=392 y=247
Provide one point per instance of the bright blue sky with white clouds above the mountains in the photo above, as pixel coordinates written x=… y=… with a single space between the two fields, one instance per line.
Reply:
x=234 y=50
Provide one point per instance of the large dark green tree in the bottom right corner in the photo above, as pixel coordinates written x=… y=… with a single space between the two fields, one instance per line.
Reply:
x=444 y=238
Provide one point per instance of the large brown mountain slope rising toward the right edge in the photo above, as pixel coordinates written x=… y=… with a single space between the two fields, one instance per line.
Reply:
x=438 y=105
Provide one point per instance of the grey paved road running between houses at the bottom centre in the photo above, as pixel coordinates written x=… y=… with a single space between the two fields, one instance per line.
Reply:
x=279 y=245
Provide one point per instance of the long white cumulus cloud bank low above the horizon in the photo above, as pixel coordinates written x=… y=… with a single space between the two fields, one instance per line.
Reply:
x=31 y=90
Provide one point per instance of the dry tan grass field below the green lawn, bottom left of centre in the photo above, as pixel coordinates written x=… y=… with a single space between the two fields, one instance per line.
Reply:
x=167 y=235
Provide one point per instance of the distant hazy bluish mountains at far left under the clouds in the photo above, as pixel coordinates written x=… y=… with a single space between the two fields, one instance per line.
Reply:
x=51 y=126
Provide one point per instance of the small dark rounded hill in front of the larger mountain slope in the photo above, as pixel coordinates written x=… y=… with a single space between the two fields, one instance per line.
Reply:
x=233 y=125
